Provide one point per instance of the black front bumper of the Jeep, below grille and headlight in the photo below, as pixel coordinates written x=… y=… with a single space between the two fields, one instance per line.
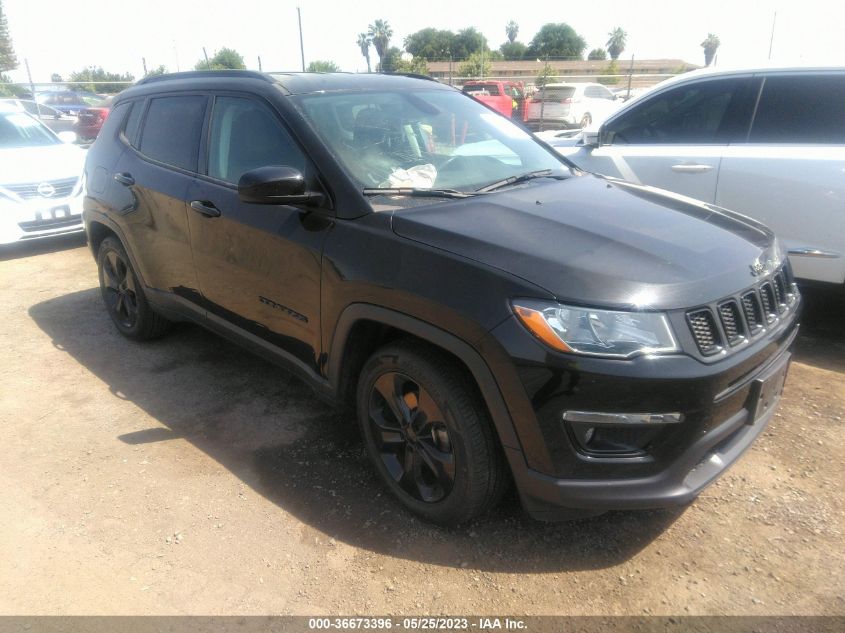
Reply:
x=558 y=478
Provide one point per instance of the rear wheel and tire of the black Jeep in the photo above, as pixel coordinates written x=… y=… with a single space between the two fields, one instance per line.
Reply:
x=124 y=296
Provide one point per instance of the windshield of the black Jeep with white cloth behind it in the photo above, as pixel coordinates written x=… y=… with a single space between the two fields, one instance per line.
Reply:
x=425 y=139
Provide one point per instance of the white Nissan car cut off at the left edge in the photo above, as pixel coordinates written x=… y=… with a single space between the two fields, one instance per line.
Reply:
x=40 y=185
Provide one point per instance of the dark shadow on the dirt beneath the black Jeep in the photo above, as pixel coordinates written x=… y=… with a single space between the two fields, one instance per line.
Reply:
x=269 y=430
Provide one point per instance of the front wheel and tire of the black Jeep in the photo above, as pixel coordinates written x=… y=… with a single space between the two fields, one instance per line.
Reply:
x=428 y=434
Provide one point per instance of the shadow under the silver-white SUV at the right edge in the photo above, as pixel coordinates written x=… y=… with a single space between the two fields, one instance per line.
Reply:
x=821 y=342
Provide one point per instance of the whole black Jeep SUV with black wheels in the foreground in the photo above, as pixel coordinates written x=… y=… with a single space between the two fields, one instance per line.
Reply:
x=488 y=312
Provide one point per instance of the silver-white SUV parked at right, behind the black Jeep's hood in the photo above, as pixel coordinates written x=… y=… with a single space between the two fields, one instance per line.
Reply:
x=769 y=143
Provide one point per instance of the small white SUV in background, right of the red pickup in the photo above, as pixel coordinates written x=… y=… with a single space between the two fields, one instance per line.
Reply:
x=562 y=105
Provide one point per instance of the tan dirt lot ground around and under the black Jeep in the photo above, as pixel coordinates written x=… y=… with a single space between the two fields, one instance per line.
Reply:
x=188 y=477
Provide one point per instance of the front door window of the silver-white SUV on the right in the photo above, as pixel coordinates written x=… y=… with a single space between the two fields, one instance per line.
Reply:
x=706 y=112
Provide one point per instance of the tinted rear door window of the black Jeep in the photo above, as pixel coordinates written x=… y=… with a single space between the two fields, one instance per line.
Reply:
x=172 y=130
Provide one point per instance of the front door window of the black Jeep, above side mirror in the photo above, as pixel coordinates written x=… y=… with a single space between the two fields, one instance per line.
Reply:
x=245 y=134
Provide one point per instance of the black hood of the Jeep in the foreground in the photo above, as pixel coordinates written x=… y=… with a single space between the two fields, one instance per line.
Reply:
x=598 y=241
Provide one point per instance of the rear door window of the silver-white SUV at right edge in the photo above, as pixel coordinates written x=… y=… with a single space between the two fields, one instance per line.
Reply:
x=801 y=109
